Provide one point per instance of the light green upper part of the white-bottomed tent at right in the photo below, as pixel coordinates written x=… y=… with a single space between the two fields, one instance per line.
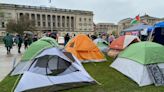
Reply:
x=144 y=53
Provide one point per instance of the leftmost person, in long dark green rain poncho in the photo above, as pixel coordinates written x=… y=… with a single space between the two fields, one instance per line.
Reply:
x=8 y=41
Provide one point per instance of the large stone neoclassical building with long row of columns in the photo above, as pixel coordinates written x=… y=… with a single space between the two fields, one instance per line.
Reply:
x=49 y=18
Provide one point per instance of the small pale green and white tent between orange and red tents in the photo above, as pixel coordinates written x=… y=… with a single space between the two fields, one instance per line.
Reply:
x=102 y=44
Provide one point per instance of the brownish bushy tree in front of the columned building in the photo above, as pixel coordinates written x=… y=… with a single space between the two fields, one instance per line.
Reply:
x=21 y=25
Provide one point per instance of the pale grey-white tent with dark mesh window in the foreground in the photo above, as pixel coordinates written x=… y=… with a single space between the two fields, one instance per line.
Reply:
x=49 y=71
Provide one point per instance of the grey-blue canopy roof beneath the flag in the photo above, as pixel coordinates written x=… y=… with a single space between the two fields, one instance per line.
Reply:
x=138 y=27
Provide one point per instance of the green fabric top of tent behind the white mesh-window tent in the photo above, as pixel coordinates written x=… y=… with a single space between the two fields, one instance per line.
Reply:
x=38 y=46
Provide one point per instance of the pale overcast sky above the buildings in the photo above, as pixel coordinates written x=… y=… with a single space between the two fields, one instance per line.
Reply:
x=110 y=11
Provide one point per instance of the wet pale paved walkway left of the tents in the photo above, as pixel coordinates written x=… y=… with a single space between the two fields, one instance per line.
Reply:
x=6 y=61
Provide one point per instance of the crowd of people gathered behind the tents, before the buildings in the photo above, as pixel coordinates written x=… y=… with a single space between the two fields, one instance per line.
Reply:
x=27 y=39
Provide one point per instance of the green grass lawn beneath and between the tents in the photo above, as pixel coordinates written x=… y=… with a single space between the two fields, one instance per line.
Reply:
x=110 y=79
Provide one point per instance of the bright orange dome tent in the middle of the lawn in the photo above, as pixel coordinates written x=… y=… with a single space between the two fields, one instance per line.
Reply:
x=84 y=49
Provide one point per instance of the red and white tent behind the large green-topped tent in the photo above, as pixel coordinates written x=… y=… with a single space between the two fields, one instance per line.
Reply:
x=121 y=43
